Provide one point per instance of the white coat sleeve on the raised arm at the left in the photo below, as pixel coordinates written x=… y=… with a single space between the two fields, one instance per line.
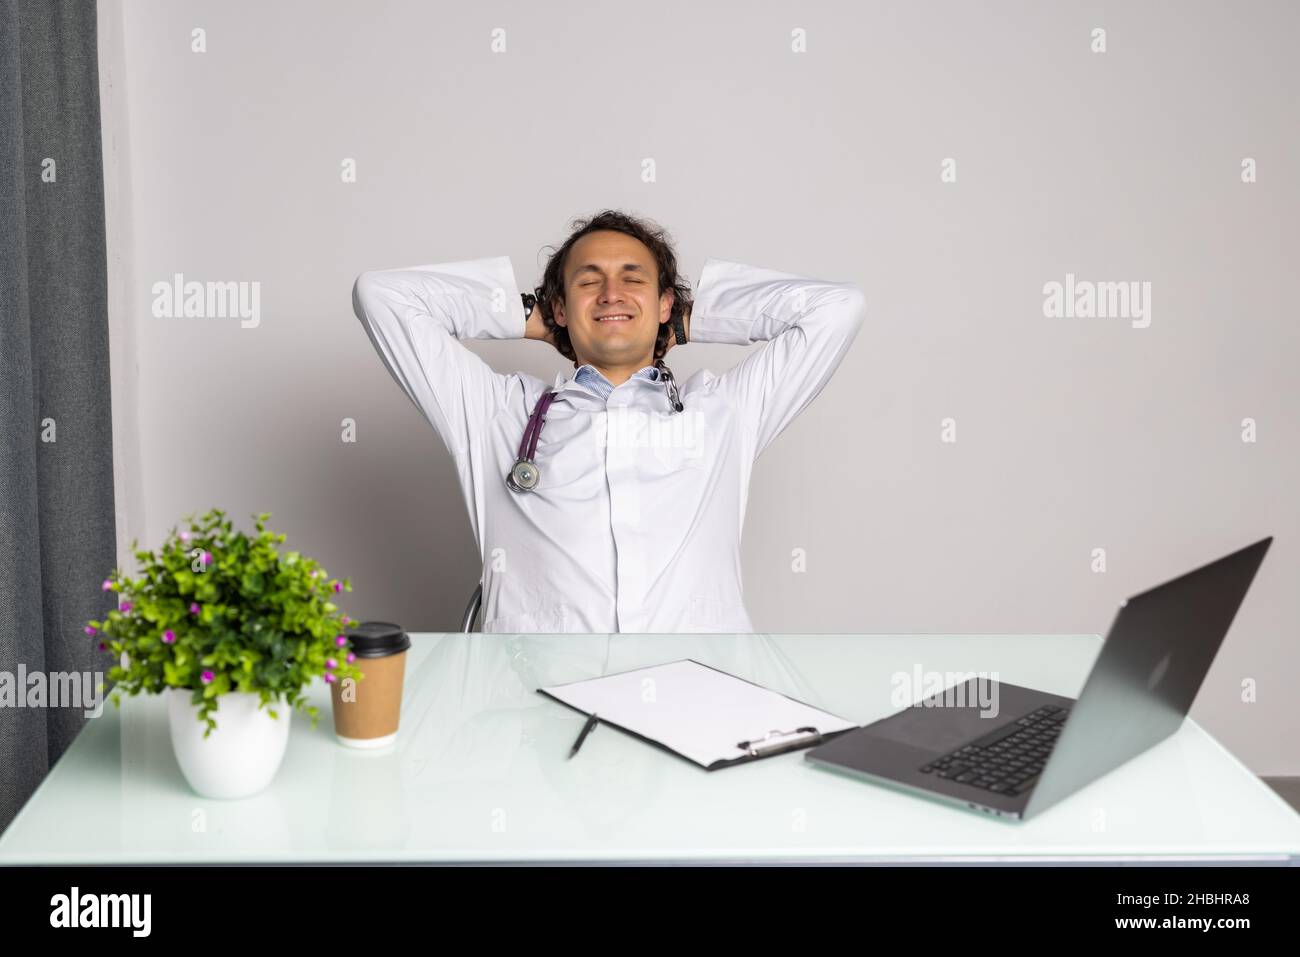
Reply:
x=417 y=317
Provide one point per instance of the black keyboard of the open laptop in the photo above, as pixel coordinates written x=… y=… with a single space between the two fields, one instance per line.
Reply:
x=1007 y=761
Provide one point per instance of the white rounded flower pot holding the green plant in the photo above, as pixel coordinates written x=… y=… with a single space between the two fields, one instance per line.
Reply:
x=244 y=754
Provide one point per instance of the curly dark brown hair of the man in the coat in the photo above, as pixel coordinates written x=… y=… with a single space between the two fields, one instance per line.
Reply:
x=655 y=237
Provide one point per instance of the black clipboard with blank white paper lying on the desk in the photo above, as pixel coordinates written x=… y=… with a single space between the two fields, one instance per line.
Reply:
x=703 y=714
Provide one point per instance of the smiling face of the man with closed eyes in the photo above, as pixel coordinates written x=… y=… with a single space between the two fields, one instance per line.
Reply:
x=610 y=274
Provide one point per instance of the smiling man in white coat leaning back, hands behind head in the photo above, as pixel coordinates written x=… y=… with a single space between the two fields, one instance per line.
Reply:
x=635 y=521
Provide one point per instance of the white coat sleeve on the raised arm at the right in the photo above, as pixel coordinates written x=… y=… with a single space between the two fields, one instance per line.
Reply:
x=808 y=324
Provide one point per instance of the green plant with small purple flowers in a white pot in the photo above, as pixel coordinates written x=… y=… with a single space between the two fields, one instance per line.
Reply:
x=228 y=629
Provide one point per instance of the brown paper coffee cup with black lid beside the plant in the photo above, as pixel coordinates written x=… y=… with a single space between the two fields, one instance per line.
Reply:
x=367 y=712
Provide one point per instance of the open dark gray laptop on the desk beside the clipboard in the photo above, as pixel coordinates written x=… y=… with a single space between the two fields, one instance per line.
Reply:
x=1042 y=748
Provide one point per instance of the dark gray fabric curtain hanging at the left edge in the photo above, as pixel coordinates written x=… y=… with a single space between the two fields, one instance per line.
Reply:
x=57 y=497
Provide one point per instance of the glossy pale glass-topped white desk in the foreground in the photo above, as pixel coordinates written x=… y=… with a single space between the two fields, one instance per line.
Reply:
x=480 y=774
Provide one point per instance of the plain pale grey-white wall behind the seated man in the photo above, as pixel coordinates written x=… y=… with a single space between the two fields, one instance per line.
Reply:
x=1073 y=434
